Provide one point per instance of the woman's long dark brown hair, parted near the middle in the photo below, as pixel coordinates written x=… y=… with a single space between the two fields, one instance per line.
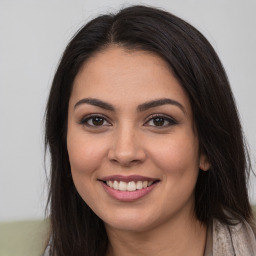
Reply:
x=220 y=192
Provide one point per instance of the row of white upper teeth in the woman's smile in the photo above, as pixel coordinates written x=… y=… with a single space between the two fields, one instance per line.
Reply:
x=130 y=186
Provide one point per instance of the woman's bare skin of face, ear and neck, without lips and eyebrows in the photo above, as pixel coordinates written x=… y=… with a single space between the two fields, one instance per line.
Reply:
x=131 y=142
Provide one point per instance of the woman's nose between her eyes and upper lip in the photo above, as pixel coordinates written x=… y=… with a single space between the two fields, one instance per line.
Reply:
x=127 y=148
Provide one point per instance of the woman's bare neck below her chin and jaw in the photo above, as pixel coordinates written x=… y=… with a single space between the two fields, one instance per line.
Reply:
x=179 y=237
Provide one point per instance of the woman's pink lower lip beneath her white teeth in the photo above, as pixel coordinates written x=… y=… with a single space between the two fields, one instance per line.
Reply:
x=128 y=196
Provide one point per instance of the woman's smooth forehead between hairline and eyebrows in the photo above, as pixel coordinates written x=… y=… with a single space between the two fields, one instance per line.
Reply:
x=127 y=76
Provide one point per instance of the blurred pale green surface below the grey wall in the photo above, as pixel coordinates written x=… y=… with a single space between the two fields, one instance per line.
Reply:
x=25 y=238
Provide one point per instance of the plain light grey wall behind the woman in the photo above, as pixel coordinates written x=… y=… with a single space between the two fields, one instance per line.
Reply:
x=33 y=35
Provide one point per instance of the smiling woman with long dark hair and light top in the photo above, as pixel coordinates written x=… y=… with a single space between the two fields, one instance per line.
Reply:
x=147 y=151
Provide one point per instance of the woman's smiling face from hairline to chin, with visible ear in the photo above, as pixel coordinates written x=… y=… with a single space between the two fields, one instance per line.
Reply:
x=132 y=148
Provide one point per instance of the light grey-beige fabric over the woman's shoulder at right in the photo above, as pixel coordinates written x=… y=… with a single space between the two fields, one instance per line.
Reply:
x=236 y=239
